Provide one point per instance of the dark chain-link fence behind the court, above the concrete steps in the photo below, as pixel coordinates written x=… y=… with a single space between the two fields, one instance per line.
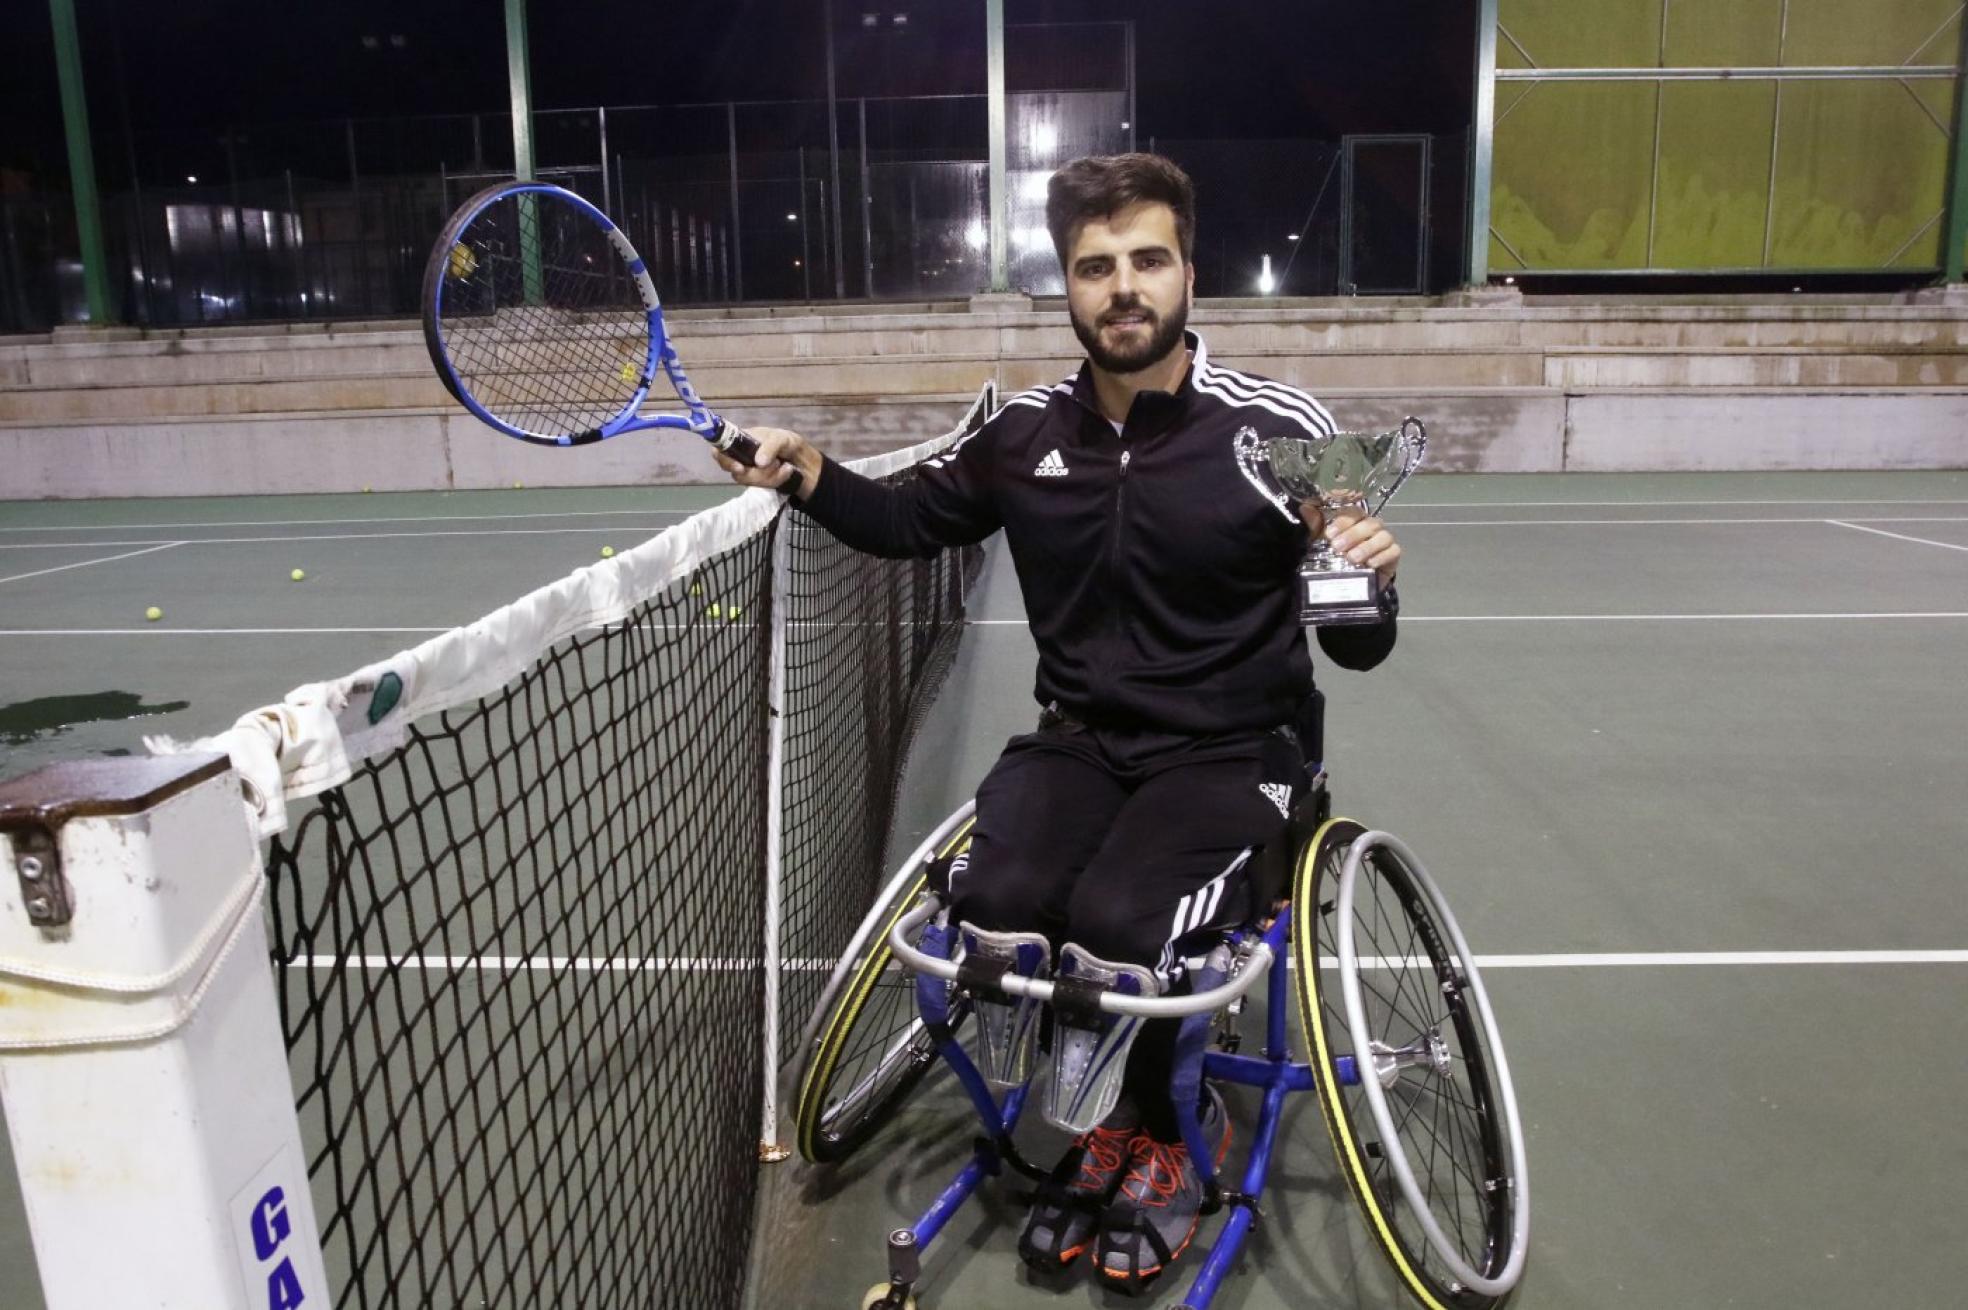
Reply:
x=729 y=204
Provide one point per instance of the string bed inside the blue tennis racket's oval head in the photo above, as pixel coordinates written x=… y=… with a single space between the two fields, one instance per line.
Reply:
x=542 y=318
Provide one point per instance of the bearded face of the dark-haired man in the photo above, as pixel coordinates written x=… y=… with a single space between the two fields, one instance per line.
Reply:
x=1129 y=288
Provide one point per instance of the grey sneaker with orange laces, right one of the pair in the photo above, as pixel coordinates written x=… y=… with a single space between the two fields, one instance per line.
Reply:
x=1160 y=1205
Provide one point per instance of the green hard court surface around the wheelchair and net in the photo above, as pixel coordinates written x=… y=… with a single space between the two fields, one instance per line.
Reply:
x=1638 y=727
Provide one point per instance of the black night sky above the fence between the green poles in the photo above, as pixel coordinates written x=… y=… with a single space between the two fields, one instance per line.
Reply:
x=1205 y=70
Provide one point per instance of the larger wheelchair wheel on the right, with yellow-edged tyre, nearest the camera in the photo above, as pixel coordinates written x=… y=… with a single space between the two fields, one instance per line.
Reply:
x=1428 y=1132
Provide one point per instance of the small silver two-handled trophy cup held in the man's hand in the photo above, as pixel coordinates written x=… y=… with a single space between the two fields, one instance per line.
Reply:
x=1339 y=473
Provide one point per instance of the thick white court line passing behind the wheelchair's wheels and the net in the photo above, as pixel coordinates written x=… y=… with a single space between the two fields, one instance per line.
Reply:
x=721 y=965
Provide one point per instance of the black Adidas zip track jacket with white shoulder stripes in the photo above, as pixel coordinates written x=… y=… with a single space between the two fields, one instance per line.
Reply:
x=1160 y=583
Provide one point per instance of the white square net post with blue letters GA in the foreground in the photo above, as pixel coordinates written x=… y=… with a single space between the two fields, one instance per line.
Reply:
x=141 y=1047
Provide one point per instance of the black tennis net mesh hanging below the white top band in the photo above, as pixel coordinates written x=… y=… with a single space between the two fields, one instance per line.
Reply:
x=521 y=953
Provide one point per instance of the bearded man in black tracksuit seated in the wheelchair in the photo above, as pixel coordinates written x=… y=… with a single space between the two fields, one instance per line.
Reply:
x=1174 y=678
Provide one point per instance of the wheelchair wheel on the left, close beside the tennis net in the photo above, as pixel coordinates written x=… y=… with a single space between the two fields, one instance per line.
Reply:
x=871 y=1049
